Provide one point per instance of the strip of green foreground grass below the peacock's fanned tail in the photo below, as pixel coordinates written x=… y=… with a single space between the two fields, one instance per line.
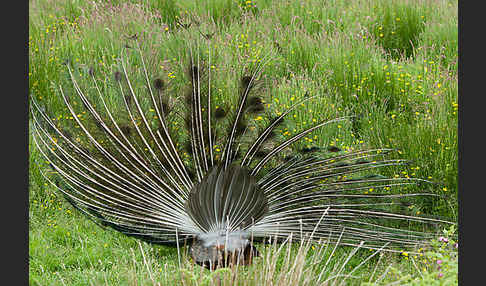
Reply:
x=72 y=251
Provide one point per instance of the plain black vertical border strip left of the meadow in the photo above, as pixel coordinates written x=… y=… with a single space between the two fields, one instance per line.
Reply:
x=15 y=142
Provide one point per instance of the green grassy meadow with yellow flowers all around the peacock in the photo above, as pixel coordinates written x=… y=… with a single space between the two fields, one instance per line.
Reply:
x=393 y=64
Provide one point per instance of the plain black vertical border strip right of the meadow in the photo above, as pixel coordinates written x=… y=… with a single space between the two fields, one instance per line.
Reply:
x=469 y=118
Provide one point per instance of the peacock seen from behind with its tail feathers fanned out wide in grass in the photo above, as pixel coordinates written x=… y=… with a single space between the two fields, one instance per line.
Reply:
x=169 y=168
